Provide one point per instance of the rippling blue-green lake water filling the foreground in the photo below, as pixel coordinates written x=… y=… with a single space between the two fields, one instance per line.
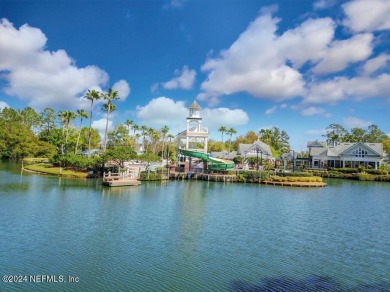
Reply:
x=192 y=235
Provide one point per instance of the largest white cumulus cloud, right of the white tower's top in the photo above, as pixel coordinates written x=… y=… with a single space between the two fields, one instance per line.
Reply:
x=264 y=64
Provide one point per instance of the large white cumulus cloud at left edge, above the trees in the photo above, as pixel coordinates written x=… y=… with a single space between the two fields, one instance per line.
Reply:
x=38 y=76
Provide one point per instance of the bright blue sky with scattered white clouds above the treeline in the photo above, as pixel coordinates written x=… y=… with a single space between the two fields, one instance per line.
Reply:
x=298 y=65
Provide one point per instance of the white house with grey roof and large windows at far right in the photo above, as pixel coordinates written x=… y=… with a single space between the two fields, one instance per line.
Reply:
x=345 y=155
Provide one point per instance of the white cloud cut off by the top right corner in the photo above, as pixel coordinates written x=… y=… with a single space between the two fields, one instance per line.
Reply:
x=367 y=15
